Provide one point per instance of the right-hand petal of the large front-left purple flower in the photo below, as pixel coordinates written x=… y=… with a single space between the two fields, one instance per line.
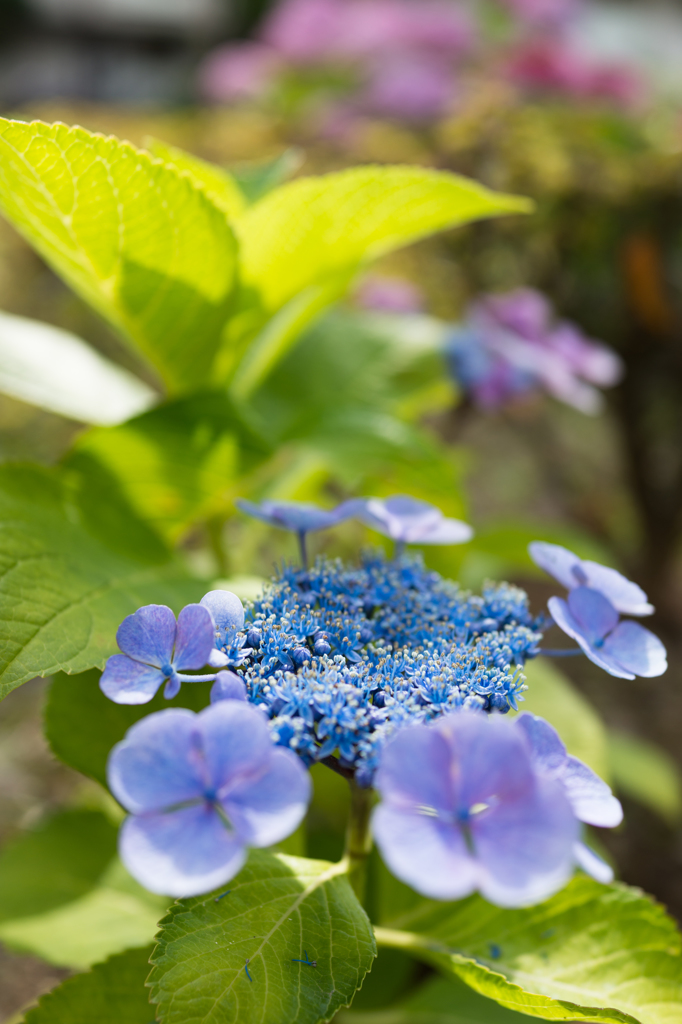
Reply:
x=268 y=808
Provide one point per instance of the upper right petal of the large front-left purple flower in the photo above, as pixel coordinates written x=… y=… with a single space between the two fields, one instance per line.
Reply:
x=236 y=743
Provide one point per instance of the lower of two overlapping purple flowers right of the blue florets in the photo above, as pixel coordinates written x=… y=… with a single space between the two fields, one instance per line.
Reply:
x=625 y=649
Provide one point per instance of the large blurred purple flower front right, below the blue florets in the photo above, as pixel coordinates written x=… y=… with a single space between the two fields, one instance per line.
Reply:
x=464 y=809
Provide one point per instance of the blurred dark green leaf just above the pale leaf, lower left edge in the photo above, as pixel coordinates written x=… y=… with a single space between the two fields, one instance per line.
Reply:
x=56 y=864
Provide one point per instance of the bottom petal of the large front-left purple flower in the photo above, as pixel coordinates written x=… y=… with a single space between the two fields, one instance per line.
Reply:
x=185 y=854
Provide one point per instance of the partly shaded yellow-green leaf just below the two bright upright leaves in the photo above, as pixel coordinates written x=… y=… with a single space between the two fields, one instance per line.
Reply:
x=178 y=464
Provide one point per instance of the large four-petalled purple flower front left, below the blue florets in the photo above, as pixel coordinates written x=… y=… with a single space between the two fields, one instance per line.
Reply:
x=202 y=789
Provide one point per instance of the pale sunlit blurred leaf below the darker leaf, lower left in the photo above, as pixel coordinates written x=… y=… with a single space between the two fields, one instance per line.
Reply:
x=117 y=915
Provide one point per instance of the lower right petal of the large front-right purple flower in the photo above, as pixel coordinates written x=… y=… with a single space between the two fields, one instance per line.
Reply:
x=525 y=846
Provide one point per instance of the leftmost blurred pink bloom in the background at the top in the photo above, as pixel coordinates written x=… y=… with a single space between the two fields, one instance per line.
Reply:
x=238 y=71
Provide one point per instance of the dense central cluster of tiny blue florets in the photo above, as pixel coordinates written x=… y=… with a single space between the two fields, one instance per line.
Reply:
x=340 y=657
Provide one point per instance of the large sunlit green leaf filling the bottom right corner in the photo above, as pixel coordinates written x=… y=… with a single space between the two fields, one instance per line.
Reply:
x=592 y=953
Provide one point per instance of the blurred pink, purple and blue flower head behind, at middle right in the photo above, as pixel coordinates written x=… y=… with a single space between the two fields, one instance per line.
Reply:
x=509 y=347
